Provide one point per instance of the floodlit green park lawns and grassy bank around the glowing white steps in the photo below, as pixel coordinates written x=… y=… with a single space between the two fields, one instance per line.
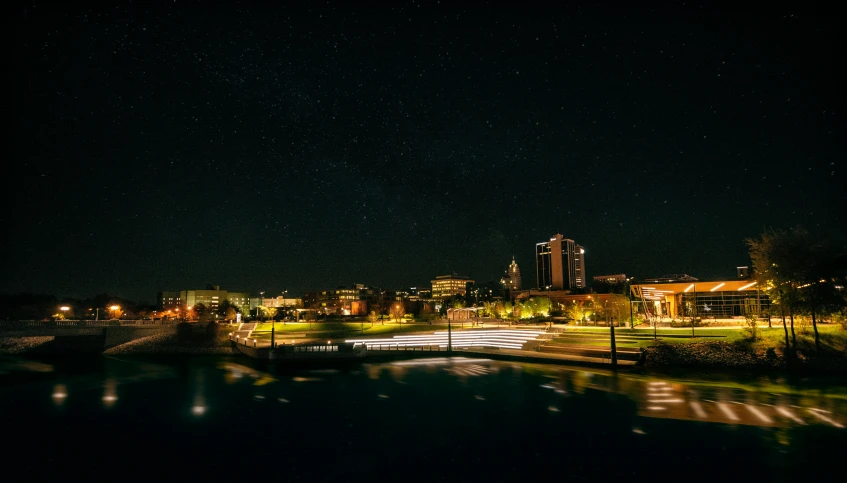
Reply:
x=708 y=347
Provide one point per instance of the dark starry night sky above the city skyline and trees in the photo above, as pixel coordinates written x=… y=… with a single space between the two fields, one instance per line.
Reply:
x=164 y=147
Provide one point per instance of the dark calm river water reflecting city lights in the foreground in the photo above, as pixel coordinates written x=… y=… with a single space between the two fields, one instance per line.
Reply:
x=457 y=419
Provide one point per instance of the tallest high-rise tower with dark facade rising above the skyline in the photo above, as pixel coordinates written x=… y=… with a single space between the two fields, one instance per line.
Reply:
x=559 y=264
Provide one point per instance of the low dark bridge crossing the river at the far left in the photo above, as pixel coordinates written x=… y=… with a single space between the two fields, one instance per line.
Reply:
x=112 y=332
